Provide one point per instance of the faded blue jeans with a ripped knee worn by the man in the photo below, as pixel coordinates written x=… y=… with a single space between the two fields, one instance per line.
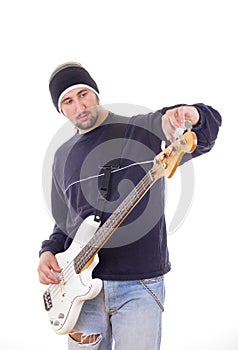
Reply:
x=126 y=315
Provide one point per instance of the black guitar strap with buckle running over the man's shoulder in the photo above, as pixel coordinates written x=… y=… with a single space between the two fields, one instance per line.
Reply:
x=116 y=131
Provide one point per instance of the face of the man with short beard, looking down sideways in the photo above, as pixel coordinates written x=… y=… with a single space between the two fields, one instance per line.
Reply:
x=80 y=105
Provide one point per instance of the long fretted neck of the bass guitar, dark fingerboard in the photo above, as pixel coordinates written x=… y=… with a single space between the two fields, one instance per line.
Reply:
x=102 y=235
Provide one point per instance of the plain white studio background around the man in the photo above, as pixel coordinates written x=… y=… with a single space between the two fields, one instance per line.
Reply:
x=151 y=53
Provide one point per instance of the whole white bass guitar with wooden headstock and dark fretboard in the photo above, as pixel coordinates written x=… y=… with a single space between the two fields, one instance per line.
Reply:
x=64 y=301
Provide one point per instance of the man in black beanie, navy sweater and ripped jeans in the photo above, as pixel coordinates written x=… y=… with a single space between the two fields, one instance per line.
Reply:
x=93 y=173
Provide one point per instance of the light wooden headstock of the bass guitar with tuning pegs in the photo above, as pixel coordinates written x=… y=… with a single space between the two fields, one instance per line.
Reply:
x=167 y=161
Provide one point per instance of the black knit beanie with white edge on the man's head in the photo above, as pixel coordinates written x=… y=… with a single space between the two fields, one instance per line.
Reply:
x=67 y=77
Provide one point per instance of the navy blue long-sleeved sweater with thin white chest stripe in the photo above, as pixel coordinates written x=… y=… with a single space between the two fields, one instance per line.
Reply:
x=138 y=248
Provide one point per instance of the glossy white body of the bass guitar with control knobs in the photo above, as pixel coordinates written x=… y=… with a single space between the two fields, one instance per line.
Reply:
x=64 y=301
